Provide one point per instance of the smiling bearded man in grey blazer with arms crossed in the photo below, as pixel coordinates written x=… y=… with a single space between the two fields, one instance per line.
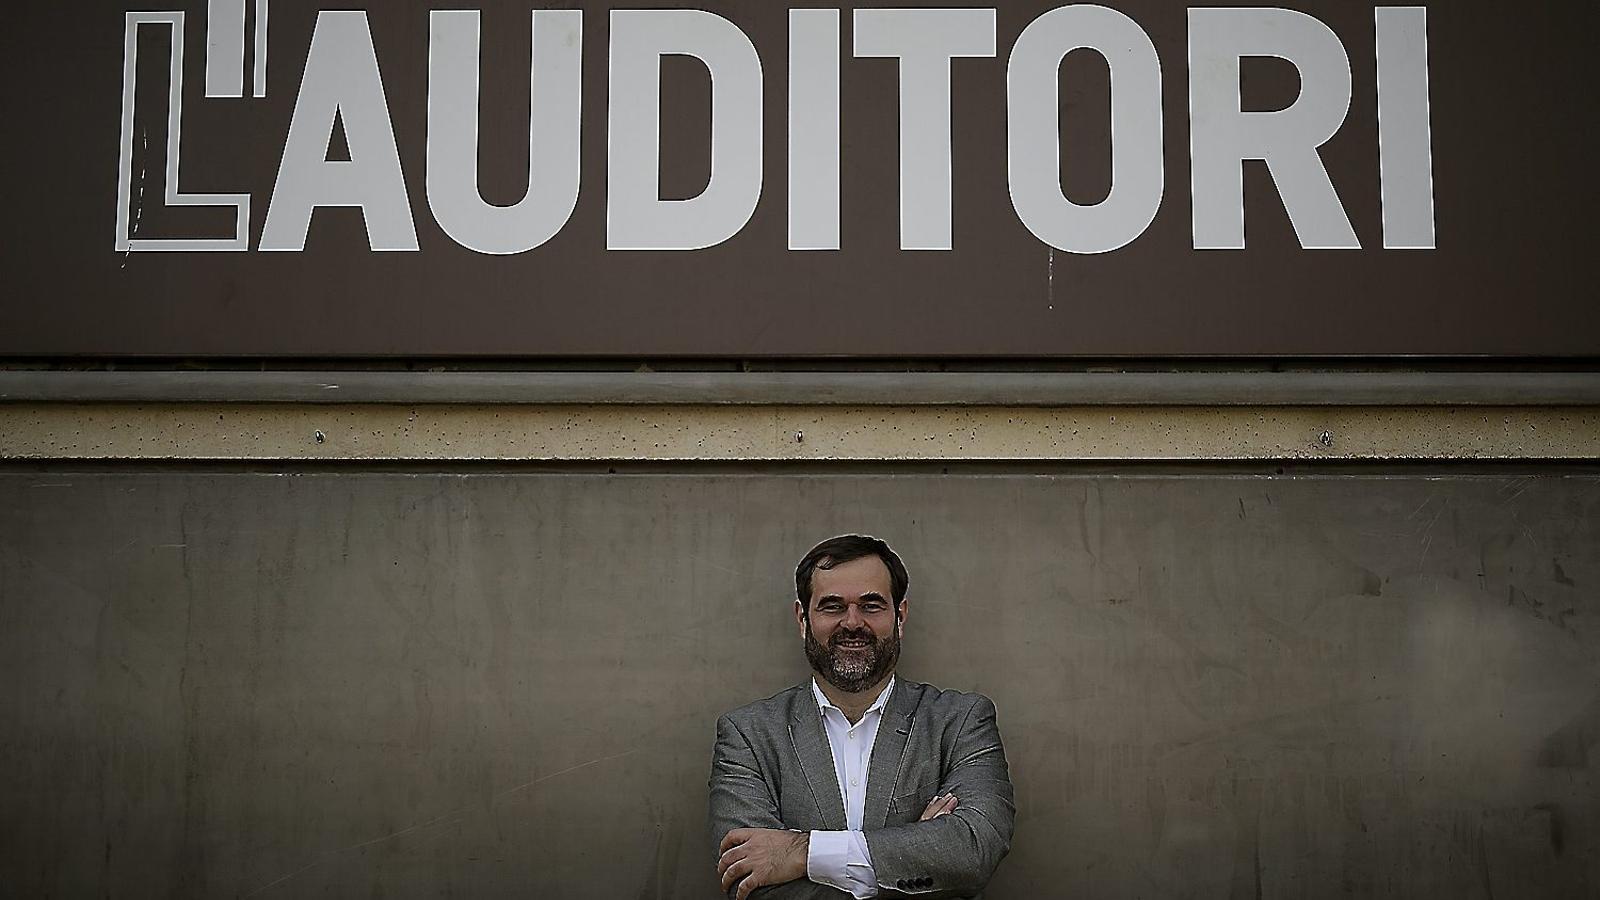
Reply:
x=857 y=781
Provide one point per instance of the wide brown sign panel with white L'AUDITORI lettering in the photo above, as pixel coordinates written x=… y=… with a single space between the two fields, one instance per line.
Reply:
x=1214 y=185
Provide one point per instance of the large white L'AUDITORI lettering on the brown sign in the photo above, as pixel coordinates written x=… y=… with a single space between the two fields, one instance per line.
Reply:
x=343 y=84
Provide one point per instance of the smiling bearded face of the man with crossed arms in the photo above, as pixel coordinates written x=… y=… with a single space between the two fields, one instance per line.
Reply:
x=854 y=633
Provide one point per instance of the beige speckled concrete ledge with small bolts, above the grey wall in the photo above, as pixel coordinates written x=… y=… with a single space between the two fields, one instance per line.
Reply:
x=791 y=433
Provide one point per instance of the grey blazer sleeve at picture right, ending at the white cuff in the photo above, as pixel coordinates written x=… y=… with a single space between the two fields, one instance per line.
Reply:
x=956 y=854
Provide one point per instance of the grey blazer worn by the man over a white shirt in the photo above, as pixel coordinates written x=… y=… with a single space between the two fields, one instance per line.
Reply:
x=775 y=769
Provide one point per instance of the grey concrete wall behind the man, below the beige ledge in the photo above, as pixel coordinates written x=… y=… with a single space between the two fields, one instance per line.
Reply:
x=503 y=685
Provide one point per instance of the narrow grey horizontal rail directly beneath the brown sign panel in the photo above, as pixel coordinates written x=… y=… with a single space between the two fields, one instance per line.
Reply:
x=815 y=388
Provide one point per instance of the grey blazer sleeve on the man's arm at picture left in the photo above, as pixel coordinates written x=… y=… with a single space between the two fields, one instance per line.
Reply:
x=742 y=798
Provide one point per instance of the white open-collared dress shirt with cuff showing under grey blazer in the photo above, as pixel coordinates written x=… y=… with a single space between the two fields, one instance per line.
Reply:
x=841 y=859
